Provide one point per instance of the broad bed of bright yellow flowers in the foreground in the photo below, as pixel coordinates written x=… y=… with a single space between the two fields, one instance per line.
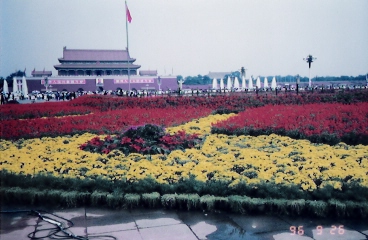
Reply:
x=259 y=166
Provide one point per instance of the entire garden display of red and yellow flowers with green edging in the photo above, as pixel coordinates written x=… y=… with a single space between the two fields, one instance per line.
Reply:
x=263 y=166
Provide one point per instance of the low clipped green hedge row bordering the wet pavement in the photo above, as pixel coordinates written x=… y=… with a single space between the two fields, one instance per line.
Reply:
x=233 y=203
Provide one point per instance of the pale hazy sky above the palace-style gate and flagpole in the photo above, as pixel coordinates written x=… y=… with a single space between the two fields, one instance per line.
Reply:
x=191 y=37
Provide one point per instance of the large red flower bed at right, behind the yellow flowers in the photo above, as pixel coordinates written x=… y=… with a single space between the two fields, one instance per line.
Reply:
x=320 y=123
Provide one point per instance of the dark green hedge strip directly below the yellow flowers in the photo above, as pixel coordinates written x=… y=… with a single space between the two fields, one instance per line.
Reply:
x=351 y=191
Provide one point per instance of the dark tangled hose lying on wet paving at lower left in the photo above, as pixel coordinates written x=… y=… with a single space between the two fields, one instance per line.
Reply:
x=59 y=231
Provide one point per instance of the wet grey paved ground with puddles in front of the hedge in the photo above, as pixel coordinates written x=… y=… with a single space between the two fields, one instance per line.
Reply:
x=144 y=224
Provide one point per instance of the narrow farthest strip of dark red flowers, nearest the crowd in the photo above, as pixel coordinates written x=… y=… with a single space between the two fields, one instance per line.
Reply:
x=232 y=102
